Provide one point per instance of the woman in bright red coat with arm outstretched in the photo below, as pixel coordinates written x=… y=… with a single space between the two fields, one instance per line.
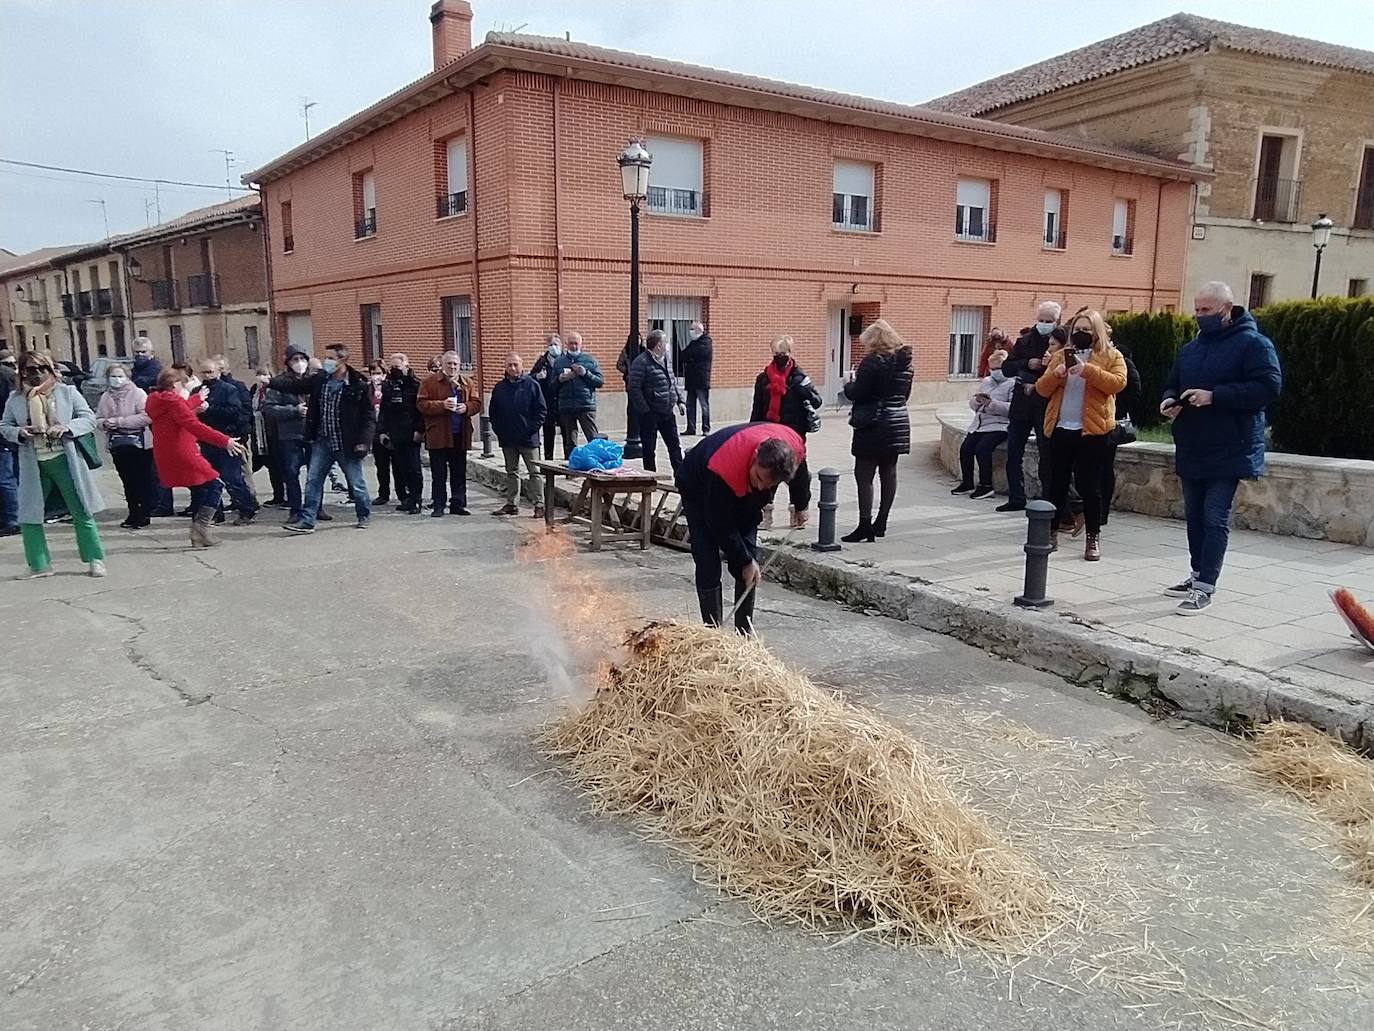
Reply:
x=177 y=432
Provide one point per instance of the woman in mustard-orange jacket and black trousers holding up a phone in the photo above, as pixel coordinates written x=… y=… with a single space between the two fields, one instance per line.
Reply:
x=1081 y=386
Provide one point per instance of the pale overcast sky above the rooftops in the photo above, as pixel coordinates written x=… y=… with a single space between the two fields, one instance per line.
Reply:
x=155 y=87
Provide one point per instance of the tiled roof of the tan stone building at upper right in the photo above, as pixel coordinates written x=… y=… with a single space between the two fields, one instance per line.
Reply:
x=1167 y=38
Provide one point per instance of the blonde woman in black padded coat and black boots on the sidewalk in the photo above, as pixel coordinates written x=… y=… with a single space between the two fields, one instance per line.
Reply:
x=883 y=430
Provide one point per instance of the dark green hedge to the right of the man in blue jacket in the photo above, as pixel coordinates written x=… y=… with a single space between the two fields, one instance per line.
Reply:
x=1327 y=353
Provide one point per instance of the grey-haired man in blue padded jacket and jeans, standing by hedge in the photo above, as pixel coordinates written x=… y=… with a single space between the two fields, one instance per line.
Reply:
x=1222 y=383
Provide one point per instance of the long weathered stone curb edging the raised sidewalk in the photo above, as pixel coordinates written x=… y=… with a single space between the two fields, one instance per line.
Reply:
x=1164 y=681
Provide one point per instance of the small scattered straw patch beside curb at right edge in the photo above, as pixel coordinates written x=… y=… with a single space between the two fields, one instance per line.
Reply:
x=1329 y=776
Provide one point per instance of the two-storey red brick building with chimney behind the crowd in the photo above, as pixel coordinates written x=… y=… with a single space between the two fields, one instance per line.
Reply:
x=482 y=207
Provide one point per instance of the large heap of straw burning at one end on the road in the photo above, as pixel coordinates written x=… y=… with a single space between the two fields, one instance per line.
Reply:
x=811 y=809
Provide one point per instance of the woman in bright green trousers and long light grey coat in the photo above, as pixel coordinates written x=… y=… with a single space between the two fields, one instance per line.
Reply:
x=45 y=417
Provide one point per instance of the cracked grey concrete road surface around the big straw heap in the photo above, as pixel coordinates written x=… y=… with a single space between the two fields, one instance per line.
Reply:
x=292 y=783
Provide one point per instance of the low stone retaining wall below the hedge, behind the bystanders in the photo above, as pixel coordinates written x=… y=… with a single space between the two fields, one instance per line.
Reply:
x=1302 y=497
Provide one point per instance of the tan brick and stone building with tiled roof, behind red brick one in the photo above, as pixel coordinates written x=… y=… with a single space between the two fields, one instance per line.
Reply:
x=1285 y=126
